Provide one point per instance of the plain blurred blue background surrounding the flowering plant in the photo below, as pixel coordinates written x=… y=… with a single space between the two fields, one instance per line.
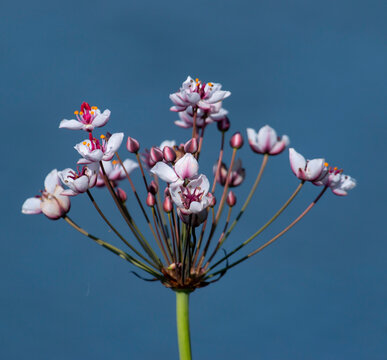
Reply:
x=313 y=70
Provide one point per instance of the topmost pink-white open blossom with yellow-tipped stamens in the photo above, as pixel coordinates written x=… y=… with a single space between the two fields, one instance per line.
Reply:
x=195 y=93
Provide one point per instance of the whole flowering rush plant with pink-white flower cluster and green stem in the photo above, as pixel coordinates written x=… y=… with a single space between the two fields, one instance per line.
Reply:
x=181 y=244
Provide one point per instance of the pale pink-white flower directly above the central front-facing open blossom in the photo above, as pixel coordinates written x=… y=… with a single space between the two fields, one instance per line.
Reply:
x=186 y=168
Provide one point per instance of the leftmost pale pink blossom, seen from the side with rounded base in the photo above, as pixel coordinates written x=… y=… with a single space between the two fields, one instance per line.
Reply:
x=51 y=202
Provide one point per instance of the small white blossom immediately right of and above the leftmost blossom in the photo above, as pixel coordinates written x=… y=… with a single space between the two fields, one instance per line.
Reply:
x=79 y=181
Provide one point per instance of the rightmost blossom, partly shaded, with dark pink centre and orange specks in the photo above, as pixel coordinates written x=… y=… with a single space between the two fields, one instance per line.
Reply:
x=334 y=178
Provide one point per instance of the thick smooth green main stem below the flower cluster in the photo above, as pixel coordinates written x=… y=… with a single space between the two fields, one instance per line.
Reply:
x=182 y=319
